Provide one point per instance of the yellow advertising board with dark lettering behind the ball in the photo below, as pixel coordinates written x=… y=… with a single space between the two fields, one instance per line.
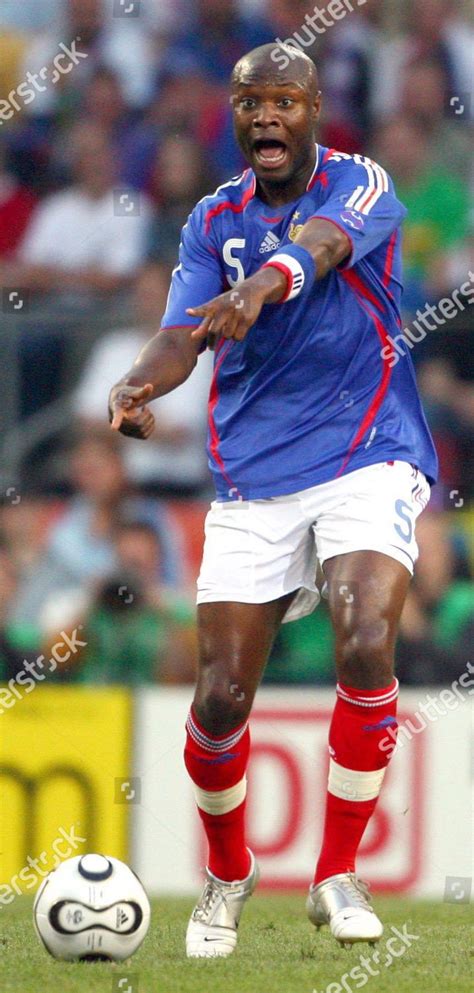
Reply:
x=65 y=758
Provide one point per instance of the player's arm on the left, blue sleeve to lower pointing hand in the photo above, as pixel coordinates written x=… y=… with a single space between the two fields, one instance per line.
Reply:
x=170 y=356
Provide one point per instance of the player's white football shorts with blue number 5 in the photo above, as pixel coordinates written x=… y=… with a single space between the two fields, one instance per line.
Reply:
x=259 y=550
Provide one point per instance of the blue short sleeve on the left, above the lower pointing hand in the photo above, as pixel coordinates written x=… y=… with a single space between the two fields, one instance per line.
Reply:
x=198 y=277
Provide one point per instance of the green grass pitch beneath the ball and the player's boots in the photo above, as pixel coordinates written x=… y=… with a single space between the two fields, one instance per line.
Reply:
x=278 y=952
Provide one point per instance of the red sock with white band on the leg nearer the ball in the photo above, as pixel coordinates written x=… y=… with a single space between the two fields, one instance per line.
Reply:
x=217 y=768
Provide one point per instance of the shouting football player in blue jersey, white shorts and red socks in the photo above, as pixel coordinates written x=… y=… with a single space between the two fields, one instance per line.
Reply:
x=320 y=451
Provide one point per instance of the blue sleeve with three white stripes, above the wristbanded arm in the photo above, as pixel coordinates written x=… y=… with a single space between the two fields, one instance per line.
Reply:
x=361 y=202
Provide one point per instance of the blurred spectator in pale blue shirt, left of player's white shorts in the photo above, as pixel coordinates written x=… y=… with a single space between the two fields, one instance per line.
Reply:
x=80 y=548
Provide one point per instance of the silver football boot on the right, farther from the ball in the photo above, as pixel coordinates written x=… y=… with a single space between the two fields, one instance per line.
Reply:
x=343 y=902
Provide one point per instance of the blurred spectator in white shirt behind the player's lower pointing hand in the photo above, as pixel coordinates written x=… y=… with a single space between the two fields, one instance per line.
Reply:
x=174 y=459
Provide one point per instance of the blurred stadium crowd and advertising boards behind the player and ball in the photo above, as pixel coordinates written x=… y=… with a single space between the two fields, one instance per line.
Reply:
x=100 y=538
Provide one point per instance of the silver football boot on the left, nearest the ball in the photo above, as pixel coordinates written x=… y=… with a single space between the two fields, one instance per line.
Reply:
x=212 y=929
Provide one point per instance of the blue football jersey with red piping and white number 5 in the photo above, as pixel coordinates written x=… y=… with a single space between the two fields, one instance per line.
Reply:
x=312 y=392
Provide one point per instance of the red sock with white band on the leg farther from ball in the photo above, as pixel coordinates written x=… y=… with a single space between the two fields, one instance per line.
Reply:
x=359 y=725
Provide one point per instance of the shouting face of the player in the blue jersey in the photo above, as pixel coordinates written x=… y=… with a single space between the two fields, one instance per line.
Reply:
x=275 y=127
